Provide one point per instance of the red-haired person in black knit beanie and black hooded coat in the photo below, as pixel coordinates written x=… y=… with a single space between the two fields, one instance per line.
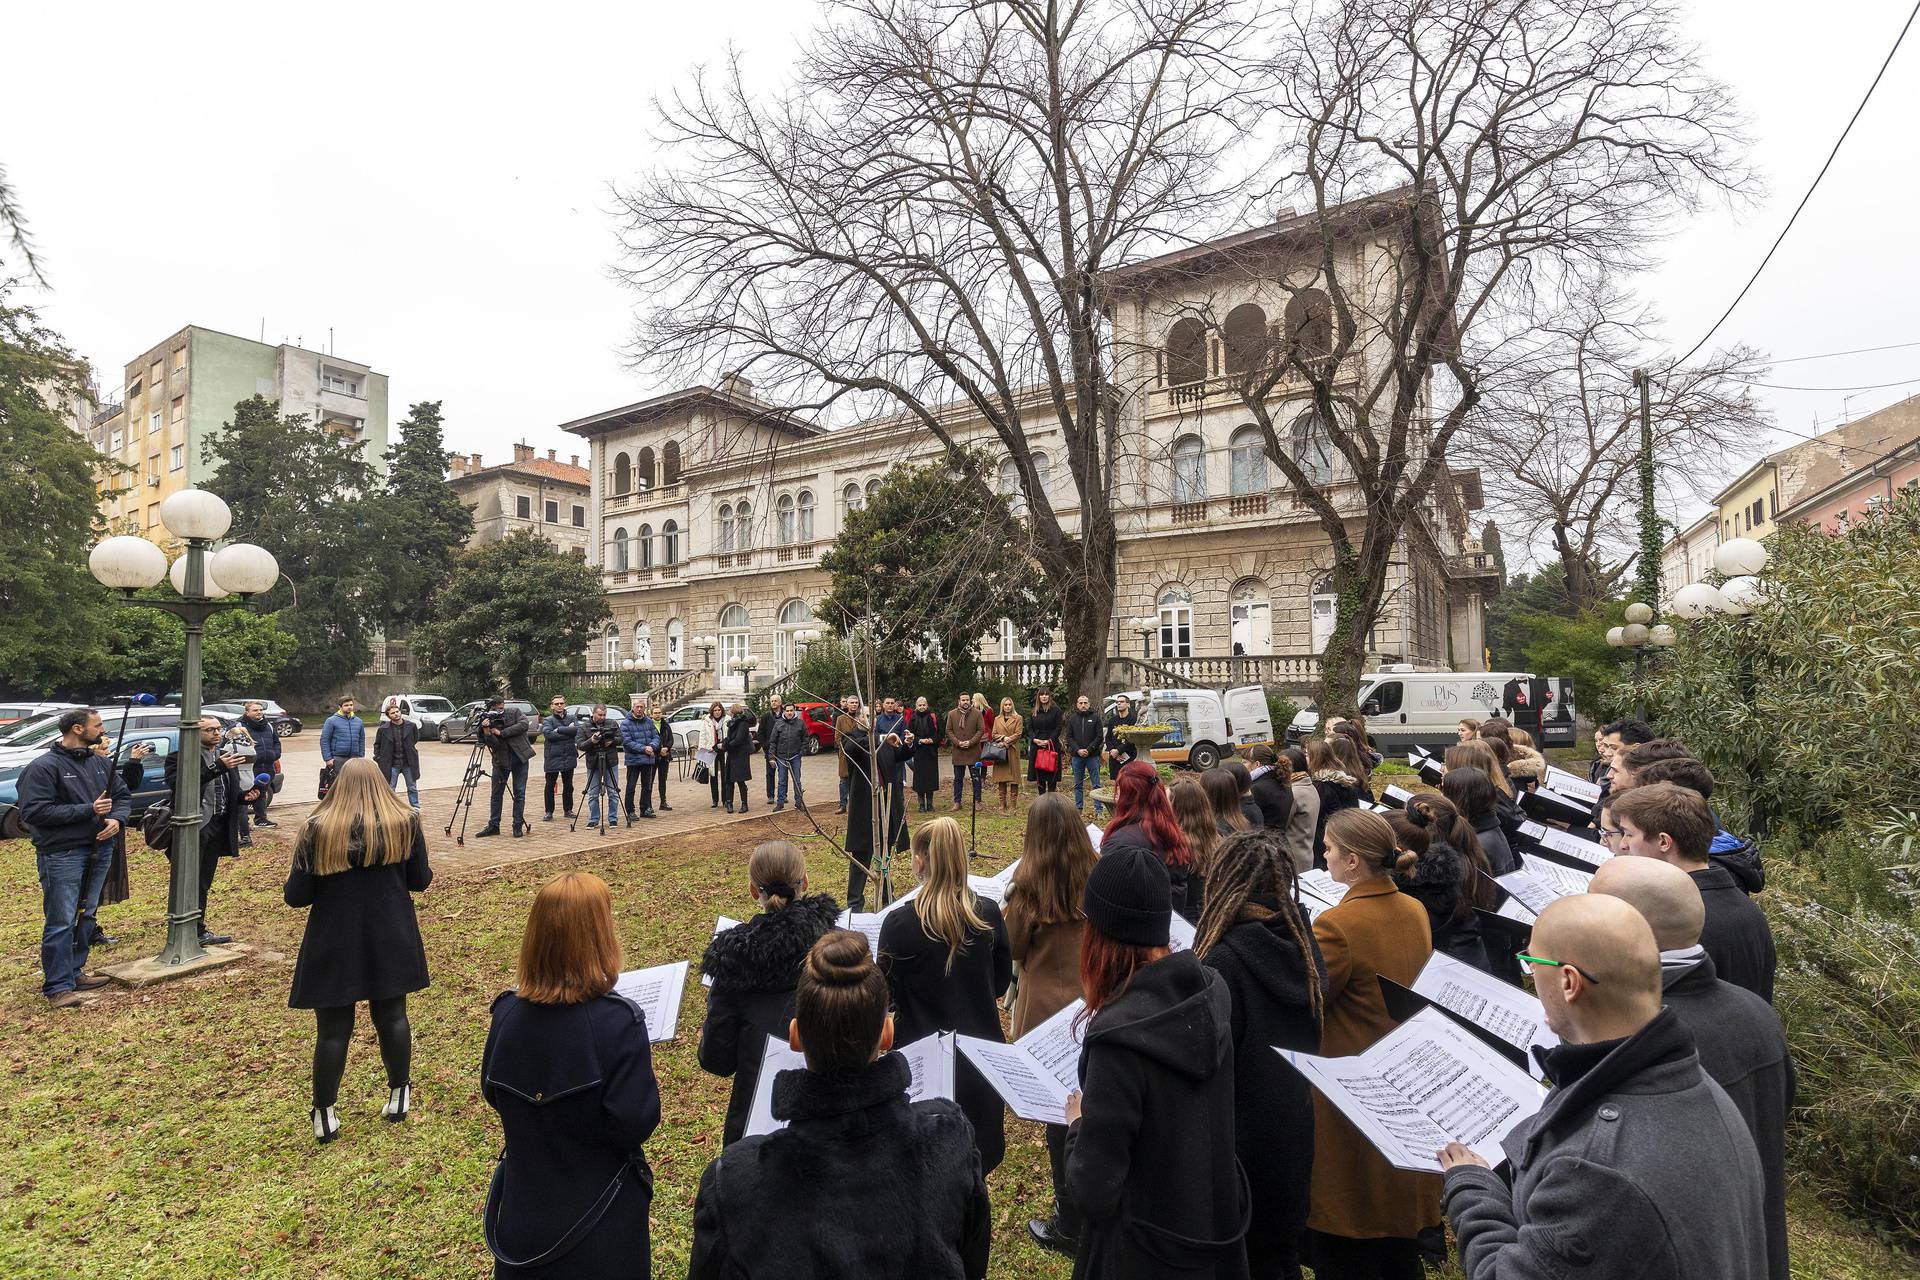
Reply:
x=1151 y=1137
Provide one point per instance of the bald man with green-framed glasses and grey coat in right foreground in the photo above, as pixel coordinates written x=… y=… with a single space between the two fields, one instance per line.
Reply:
x=1637 y=1168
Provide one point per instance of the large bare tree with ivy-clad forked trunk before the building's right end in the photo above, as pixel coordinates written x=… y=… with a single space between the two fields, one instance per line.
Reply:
x=1518 y=151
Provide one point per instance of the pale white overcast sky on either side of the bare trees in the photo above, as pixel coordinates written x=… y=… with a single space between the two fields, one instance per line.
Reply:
x=433 y=189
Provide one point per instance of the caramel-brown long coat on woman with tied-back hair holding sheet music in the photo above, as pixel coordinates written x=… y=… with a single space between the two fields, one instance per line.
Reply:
x=1376 y=932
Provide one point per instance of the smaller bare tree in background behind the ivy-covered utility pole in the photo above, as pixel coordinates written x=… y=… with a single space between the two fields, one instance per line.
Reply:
x=1560 y=435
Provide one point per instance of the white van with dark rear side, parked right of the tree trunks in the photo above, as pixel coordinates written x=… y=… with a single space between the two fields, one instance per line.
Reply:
x=1424 y=709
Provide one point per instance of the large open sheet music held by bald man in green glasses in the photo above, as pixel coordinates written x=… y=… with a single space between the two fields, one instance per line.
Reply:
x=1424 y=1085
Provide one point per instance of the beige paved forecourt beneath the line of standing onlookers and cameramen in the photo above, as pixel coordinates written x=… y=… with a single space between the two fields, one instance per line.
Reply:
x=552 y=840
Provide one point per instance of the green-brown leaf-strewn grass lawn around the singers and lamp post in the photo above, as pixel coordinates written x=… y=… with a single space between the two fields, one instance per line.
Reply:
x=164 y=1133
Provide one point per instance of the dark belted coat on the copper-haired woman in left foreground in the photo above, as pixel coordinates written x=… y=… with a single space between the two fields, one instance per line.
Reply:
x=575 y=1091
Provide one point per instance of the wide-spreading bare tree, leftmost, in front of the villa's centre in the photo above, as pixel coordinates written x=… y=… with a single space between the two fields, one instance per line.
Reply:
x=919 y=218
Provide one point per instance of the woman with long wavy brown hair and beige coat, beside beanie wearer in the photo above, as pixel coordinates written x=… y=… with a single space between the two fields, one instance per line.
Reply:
x=1045 y=926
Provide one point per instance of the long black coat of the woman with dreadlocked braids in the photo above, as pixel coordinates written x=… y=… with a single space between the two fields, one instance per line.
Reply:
x=1272 y=987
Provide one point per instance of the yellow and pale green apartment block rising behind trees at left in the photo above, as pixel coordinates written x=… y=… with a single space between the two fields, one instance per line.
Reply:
x=183 y=391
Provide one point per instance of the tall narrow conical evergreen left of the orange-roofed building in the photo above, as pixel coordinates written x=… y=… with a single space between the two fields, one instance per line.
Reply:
x=427 y=521
